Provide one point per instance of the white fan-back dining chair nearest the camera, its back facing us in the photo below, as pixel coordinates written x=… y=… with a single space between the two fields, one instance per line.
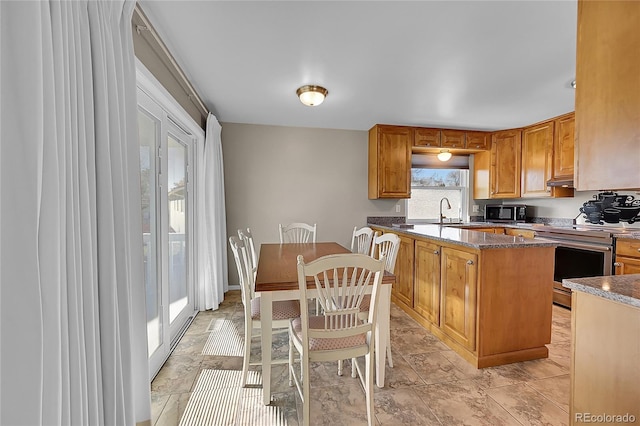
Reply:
x=339 y=333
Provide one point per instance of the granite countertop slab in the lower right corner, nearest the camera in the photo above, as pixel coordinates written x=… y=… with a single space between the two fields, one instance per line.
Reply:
x=620 y=288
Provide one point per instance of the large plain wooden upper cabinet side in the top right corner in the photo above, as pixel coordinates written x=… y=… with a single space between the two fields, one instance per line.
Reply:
x=607 y=95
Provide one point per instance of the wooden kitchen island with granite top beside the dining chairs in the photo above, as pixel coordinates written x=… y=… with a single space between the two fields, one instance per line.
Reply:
x=487 y=296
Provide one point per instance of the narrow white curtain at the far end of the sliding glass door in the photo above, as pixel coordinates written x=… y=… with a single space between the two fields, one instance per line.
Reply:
x=212 y=235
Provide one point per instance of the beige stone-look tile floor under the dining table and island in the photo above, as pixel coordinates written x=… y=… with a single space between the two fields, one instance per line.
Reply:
x=428 y=385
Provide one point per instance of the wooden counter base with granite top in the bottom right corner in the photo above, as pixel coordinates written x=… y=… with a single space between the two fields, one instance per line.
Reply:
x=605 y=324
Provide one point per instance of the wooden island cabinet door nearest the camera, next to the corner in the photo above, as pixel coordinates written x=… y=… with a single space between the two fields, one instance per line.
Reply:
x=458 y=306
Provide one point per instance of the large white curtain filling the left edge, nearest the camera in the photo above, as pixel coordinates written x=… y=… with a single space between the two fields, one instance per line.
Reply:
x=73 y=349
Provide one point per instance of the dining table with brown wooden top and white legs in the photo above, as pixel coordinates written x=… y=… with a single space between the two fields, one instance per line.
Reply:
x=277 y=279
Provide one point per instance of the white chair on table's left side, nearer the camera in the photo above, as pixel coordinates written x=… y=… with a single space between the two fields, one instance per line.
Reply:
x=283 y=311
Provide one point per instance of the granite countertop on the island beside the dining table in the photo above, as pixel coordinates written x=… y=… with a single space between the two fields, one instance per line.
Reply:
x=468 y=237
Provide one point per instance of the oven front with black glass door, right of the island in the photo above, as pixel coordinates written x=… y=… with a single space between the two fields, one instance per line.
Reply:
x=578 y=260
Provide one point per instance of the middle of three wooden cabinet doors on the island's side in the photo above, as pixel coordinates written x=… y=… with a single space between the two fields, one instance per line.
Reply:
x=426 y=291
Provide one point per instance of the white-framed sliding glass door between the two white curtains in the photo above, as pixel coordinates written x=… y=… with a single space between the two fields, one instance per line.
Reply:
x=166 y=153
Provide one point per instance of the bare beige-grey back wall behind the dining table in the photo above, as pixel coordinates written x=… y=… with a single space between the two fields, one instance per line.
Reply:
x=286 y=174
